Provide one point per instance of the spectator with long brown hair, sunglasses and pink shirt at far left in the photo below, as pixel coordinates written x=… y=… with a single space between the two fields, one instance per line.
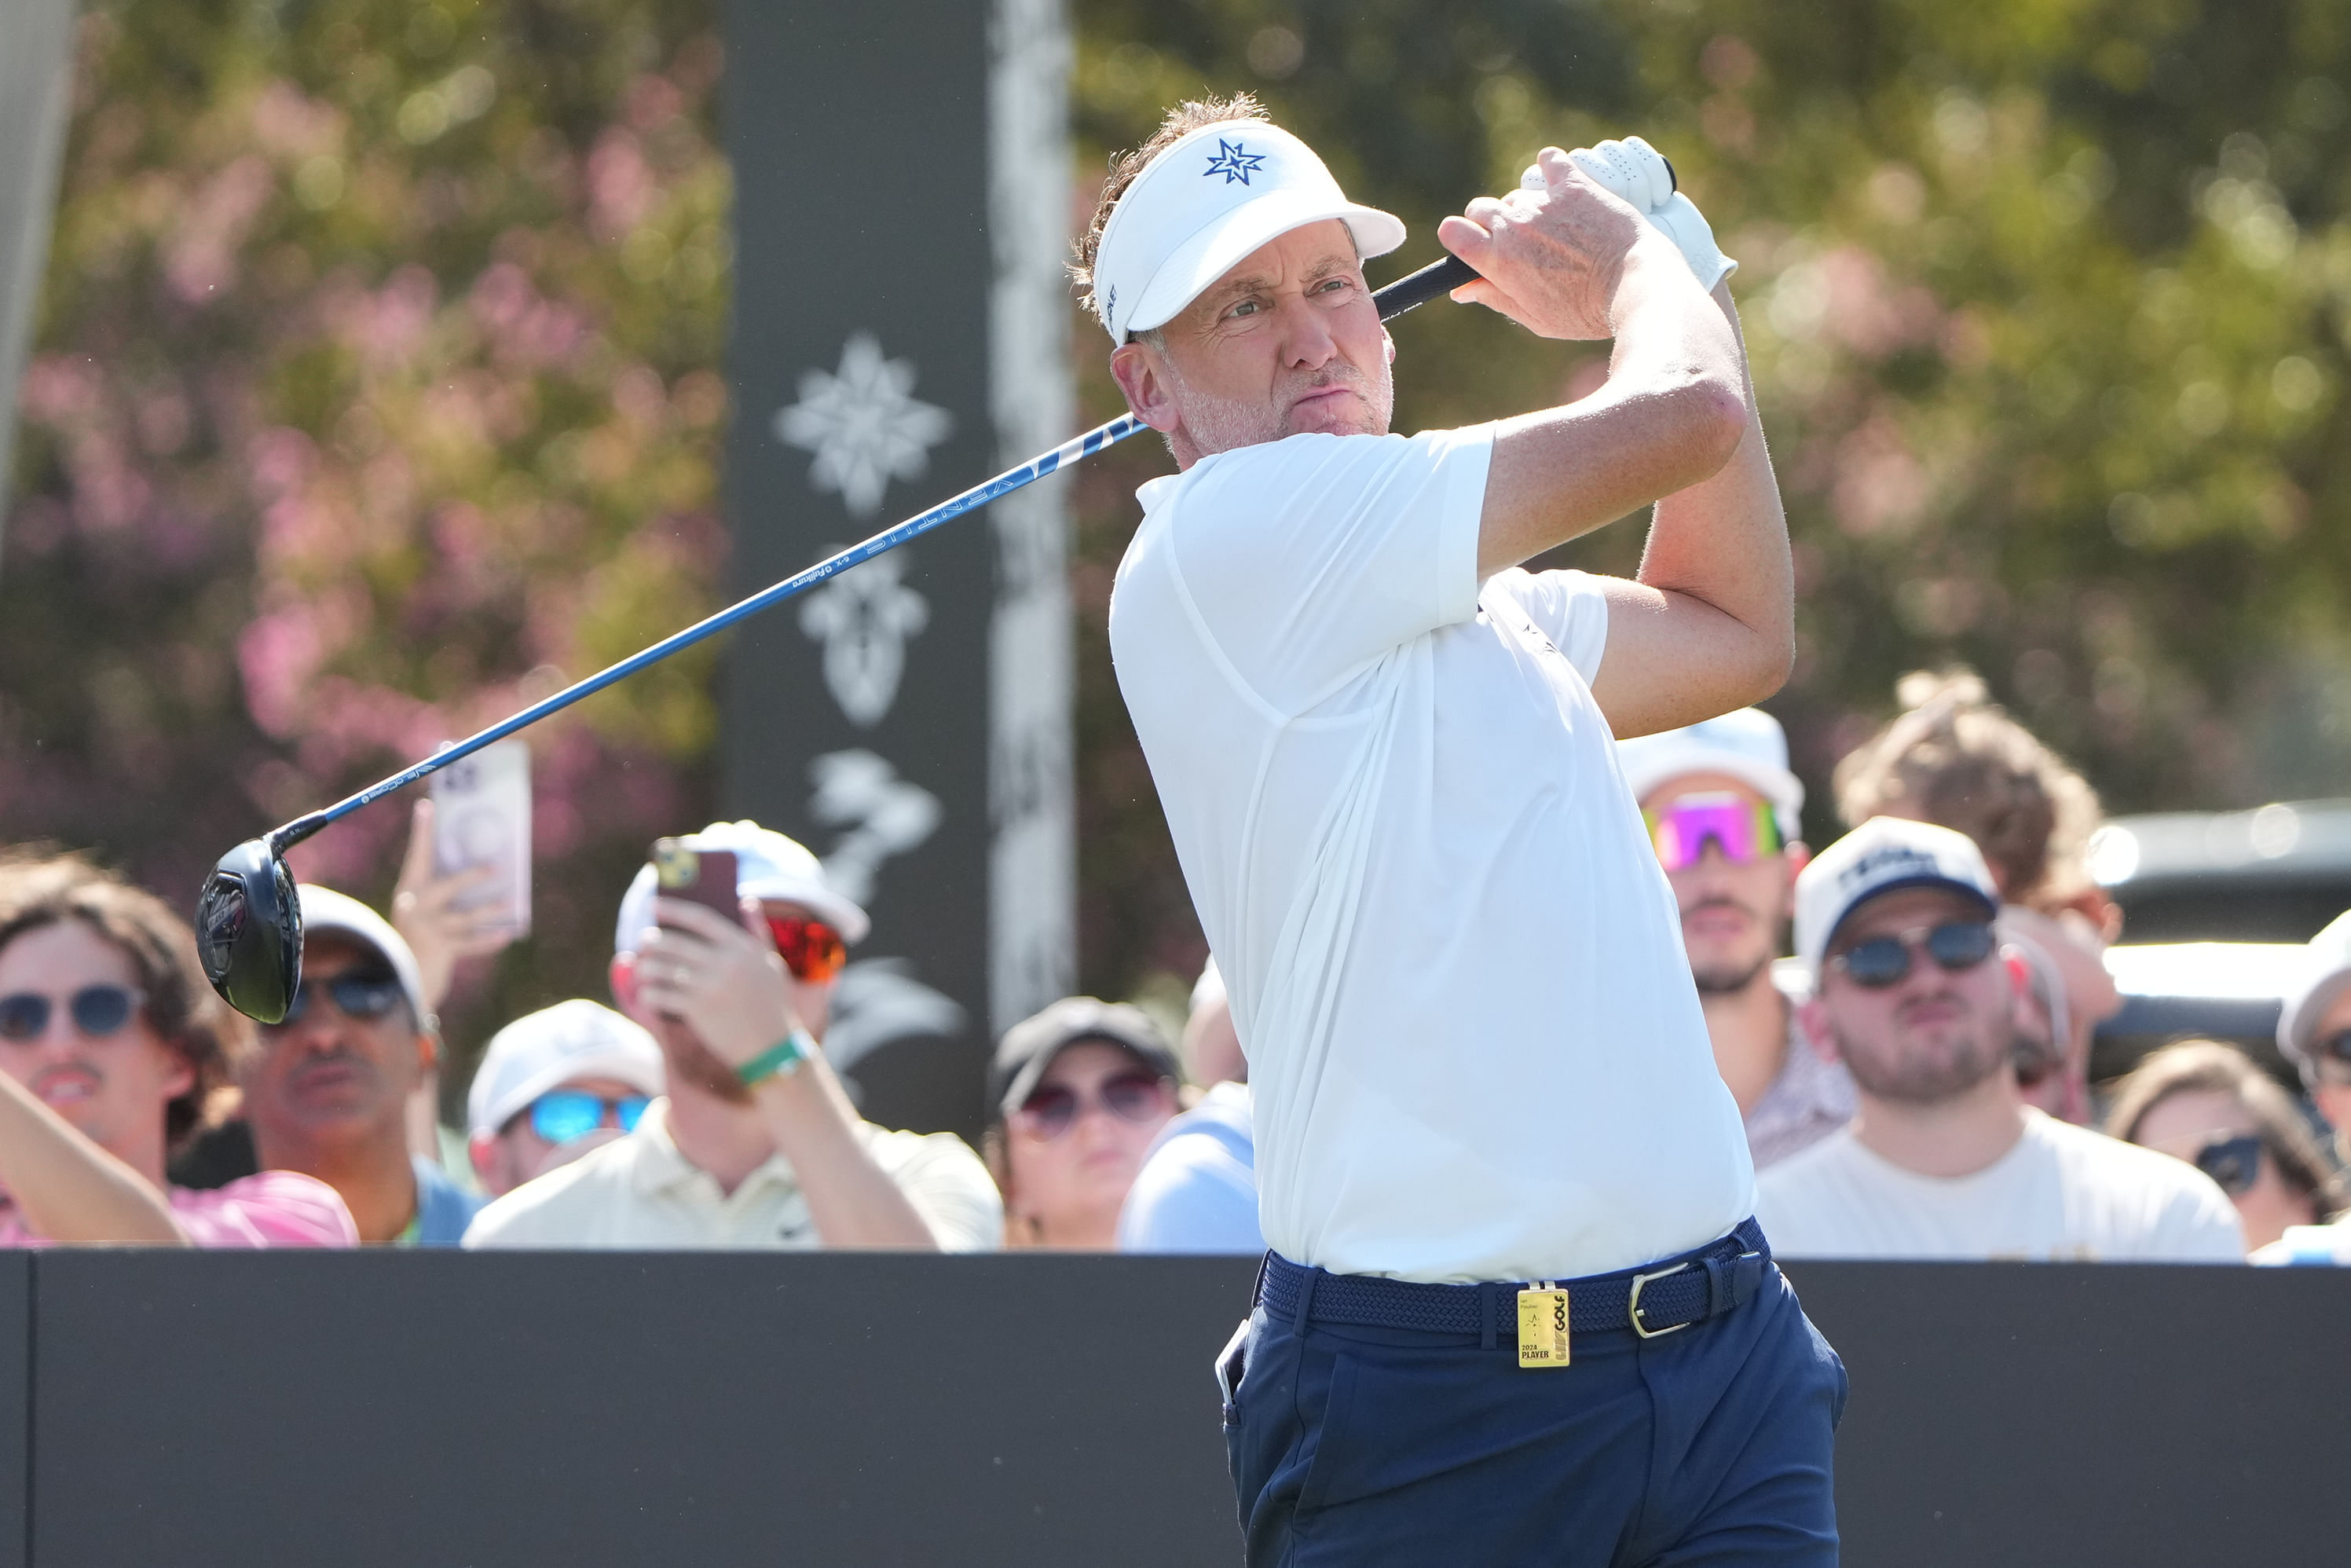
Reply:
x=109 y=1050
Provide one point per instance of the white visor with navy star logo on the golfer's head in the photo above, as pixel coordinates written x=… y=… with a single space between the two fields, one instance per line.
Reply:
x=1203 y=206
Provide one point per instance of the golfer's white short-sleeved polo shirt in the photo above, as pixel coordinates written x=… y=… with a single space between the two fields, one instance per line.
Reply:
x=1454 y=960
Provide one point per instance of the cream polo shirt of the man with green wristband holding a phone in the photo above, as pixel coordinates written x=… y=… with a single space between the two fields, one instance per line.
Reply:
x=641 y=1193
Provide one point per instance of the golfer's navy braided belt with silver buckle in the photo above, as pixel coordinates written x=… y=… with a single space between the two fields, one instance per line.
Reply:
x=1661 y=1299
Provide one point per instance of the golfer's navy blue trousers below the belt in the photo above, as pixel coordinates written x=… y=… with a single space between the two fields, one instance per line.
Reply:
x=1388 y=1447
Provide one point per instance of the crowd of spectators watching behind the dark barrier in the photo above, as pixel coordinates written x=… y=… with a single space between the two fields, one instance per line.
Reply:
x=1903 y=1024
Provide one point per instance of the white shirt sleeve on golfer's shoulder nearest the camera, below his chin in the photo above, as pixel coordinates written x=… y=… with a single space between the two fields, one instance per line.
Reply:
x=1315 y=556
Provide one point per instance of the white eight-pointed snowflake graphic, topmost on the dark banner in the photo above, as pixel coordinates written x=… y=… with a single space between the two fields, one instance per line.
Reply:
x=864 y=424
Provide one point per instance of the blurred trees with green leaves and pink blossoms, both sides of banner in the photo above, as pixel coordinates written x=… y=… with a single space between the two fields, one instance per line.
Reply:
x=377 y=389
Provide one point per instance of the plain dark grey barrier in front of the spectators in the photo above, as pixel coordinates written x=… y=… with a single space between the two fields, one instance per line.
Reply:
x=690 y=1412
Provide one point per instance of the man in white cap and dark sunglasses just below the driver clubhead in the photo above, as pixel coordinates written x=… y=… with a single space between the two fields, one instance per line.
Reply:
x=330 y=1087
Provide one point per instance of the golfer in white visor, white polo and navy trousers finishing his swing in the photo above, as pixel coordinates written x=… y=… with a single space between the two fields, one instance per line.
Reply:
x=1515 y=1308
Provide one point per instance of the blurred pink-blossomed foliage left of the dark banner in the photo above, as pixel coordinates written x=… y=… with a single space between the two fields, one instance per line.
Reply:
x=373 y=401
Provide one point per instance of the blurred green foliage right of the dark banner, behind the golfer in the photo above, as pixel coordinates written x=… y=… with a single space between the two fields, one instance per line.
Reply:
x=2049 y=307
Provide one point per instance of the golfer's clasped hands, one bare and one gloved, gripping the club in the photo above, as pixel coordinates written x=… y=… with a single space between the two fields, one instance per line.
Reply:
x=1550 y=260
